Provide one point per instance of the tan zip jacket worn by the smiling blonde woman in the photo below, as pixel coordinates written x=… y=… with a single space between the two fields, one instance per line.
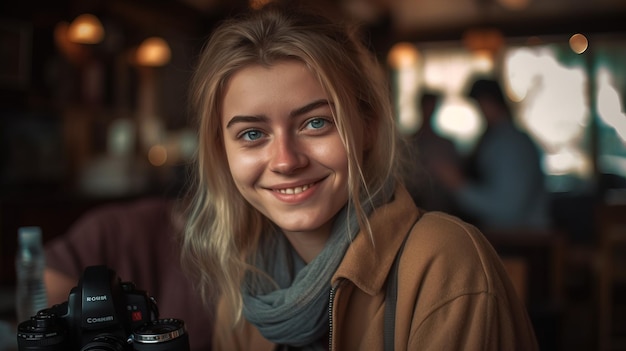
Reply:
x=453 y=292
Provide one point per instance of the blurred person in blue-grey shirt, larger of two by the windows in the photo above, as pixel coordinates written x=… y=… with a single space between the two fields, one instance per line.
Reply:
x=502 y=183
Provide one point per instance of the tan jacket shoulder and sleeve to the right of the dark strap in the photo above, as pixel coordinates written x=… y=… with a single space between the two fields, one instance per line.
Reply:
x=451 y=279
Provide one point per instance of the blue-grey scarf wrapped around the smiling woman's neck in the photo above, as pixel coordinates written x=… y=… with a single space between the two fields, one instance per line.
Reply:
x=293 y=309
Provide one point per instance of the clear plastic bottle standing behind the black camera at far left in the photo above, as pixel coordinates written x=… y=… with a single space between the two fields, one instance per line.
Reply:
x=30 y=262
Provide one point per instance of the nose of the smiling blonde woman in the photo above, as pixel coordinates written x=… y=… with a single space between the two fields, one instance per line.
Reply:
x=287 y=155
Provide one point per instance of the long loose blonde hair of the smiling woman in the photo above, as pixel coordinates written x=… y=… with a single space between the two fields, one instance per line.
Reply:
x=223 y=230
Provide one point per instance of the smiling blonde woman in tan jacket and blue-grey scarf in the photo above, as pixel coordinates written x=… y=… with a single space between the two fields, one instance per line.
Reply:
x=299 y=209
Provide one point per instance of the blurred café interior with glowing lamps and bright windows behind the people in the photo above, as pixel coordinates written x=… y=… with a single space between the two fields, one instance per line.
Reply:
x=93 y=110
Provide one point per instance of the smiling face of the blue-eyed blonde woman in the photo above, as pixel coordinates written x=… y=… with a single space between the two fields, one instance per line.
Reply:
x=283 y=149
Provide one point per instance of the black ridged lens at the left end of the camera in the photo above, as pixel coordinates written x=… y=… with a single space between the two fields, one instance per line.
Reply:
x=43 y=332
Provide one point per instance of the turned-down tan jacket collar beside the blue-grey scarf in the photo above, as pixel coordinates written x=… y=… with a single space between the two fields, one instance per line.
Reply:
x=367 y=262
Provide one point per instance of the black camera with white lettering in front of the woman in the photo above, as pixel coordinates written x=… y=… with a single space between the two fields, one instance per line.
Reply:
x=102 y=313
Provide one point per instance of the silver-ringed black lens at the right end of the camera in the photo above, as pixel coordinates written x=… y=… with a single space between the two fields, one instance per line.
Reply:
x=161 y=335
